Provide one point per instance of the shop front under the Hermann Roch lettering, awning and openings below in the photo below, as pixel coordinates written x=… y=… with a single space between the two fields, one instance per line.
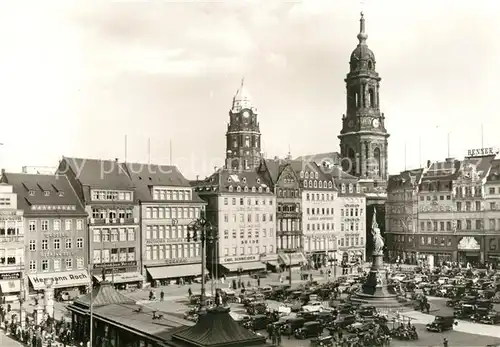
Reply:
x=68 y=281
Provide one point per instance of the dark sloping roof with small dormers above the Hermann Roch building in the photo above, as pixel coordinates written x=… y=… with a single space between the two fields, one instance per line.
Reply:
x=45 y=191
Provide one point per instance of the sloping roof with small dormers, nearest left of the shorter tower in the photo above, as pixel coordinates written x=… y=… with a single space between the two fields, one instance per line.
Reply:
x=145 y=176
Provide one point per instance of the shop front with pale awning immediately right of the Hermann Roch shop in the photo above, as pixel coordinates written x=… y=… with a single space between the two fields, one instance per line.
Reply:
x=122 y=274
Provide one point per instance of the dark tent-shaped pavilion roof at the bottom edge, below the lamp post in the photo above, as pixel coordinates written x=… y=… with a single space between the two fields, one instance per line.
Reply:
x=217 y=328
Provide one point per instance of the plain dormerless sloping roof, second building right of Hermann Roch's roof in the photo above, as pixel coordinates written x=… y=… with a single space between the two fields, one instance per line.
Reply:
x=100 y=174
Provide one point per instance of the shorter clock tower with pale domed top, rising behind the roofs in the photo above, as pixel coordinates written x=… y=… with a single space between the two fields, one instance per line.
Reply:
x=243 y=148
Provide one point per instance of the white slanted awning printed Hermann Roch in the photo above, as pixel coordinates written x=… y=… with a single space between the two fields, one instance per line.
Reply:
x=60 y=279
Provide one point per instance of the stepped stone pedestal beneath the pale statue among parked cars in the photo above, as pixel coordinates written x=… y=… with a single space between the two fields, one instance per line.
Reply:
x=375 y=291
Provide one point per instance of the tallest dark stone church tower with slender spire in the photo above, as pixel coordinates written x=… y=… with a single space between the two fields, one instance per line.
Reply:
x=363 y=138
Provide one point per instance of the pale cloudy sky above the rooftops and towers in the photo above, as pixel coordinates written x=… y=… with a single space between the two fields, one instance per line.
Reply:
x=77 y=77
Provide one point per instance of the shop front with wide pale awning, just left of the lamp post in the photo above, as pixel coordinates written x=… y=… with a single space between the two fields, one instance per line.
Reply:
x=180 y=270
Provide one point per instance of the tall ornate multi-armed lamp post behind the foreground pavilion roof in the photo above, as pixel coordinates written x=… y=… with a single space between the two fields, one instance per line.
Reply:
x=201 y=230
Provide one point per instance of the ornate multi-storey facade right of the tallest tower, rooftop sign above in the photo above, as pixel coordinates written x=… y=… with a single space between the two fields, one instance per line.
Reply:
x=456 y=214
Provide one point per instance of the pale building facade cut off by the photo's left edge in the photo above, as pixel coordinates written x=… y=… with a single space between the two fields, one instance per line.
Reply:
x=12 y=267
